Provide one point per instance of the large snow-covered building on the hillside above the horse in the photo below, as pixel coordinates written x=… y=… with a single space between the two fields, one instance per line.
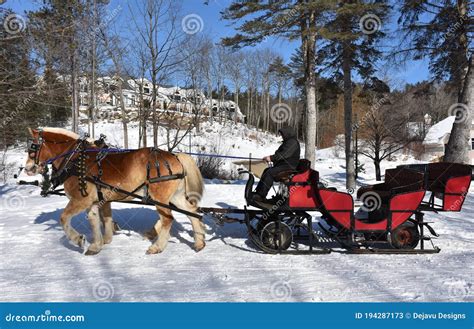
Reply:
x=173 y=99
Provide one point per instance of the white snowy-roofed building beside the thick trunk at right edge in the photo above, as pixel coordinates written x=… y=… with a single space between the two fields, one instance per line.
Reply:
x=438 y=136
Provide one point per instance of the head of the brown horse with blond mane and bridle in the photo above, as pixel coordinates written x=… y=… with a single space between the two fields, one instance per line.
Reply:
x=46 y=144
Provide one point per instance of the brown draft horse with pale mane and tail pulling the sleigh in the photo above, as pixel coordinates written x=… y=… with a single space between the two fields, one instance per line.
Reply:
x=125 y=170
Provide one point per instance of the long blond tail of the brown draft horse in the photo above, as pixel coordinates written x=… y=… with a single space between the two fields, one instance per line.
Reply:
x=193 y=181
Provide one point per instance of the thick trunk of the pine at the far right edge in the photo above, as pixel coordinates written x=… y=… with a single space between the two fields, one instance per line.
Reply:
x=458 y=147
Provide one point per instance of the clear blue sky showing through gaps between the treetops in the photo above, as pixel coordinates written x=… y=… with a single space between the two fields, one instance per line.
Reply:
x=217 y=28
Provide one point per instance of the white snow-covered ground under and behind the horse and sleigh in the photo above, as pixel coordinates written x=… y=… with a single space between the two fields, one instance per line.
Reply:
x=37 y=263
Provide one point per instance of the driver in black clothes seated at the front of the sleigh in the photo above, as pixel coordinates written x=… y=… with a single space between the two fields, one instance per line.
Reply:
x=285 y=158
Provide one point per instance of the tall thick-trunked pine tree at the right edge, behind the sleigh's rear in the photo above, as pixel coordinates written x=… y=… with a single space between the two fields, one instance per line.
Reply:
x=442 y=31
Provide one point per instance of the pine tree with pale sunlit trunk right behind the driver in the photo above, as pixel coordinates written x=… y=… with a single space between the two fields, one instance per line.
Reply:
x=291 y=19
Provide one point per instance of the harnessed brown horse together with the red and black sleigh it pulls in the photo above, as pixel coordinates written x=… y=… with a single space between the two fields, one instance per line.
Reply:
x=390 y=220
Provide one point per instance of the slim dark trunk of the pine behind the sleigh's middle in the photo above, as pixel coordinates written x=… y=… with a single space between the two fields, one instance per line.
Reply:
x=346 y=67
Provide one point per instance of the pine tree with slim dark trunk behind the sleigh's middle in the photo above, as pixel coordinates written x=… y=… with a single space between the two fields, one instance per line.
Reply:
x=349 y=46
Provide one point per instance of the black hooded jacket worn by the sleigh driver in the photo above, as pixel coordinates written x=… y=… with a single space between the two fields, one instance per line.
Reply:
x=289 y=151
